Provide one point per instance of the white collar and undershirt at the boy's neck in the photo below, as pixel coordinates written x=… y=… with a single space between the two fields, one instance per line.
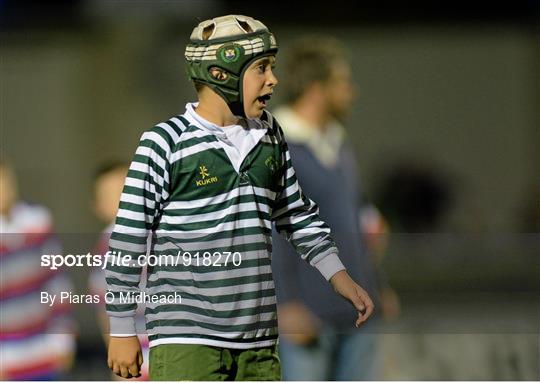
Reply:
x=236 y=140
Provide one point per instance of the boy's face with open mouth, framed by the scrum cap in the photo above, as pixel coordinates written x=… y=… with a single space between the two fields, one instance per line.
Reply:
x=259 y=83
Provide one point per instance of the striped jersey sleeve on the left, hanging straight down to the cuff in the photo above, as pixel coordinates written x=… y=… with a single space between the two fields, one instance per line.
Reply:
x=145 y=191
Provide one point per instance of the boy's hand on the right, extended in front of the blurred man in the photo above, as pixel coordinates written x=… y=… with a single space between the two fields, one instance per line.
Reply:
x=350 y=290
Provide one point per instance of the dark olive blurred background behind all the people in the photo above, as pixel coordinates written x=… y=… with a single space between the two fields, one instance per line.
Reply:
x=446 y=128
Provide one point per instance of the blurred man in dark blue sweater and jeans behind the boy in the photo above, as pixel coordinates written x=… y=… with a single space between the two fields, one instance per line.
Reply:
x=317 y=341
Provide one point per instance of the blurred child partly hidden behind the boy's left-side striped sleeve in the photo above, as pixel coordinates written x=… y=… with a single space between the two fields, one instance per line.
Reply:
x=108 y=183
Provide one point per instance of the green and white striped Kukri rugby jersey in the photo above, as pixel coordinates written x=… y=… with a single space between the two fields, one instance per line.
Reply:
x=204 y=229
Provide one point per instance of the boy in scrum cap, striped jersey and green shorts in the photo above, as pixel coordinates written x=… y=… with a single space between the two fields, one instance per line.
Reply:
x=207 y=186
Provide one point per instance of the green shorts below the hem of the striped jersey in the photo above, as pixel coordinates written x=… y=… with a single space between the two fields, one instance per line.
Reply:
x=199 y=362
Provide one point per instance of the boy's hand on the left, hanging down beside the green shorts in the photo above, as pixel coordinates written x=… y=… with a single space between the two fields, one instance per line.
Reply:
x=125 y=356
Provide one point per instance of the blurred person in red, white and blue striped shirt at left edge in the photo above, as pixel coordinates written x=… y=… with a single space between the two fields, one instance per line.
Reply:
x=37 y=340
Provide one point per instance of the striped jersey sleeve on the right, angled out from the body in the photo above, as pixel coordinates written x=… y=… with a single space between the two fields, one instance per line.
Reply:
x=296 y=218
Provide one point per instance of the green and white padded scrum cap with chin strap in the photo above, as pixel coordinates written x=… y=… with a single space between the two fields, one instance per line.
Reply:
x=230 y=44
